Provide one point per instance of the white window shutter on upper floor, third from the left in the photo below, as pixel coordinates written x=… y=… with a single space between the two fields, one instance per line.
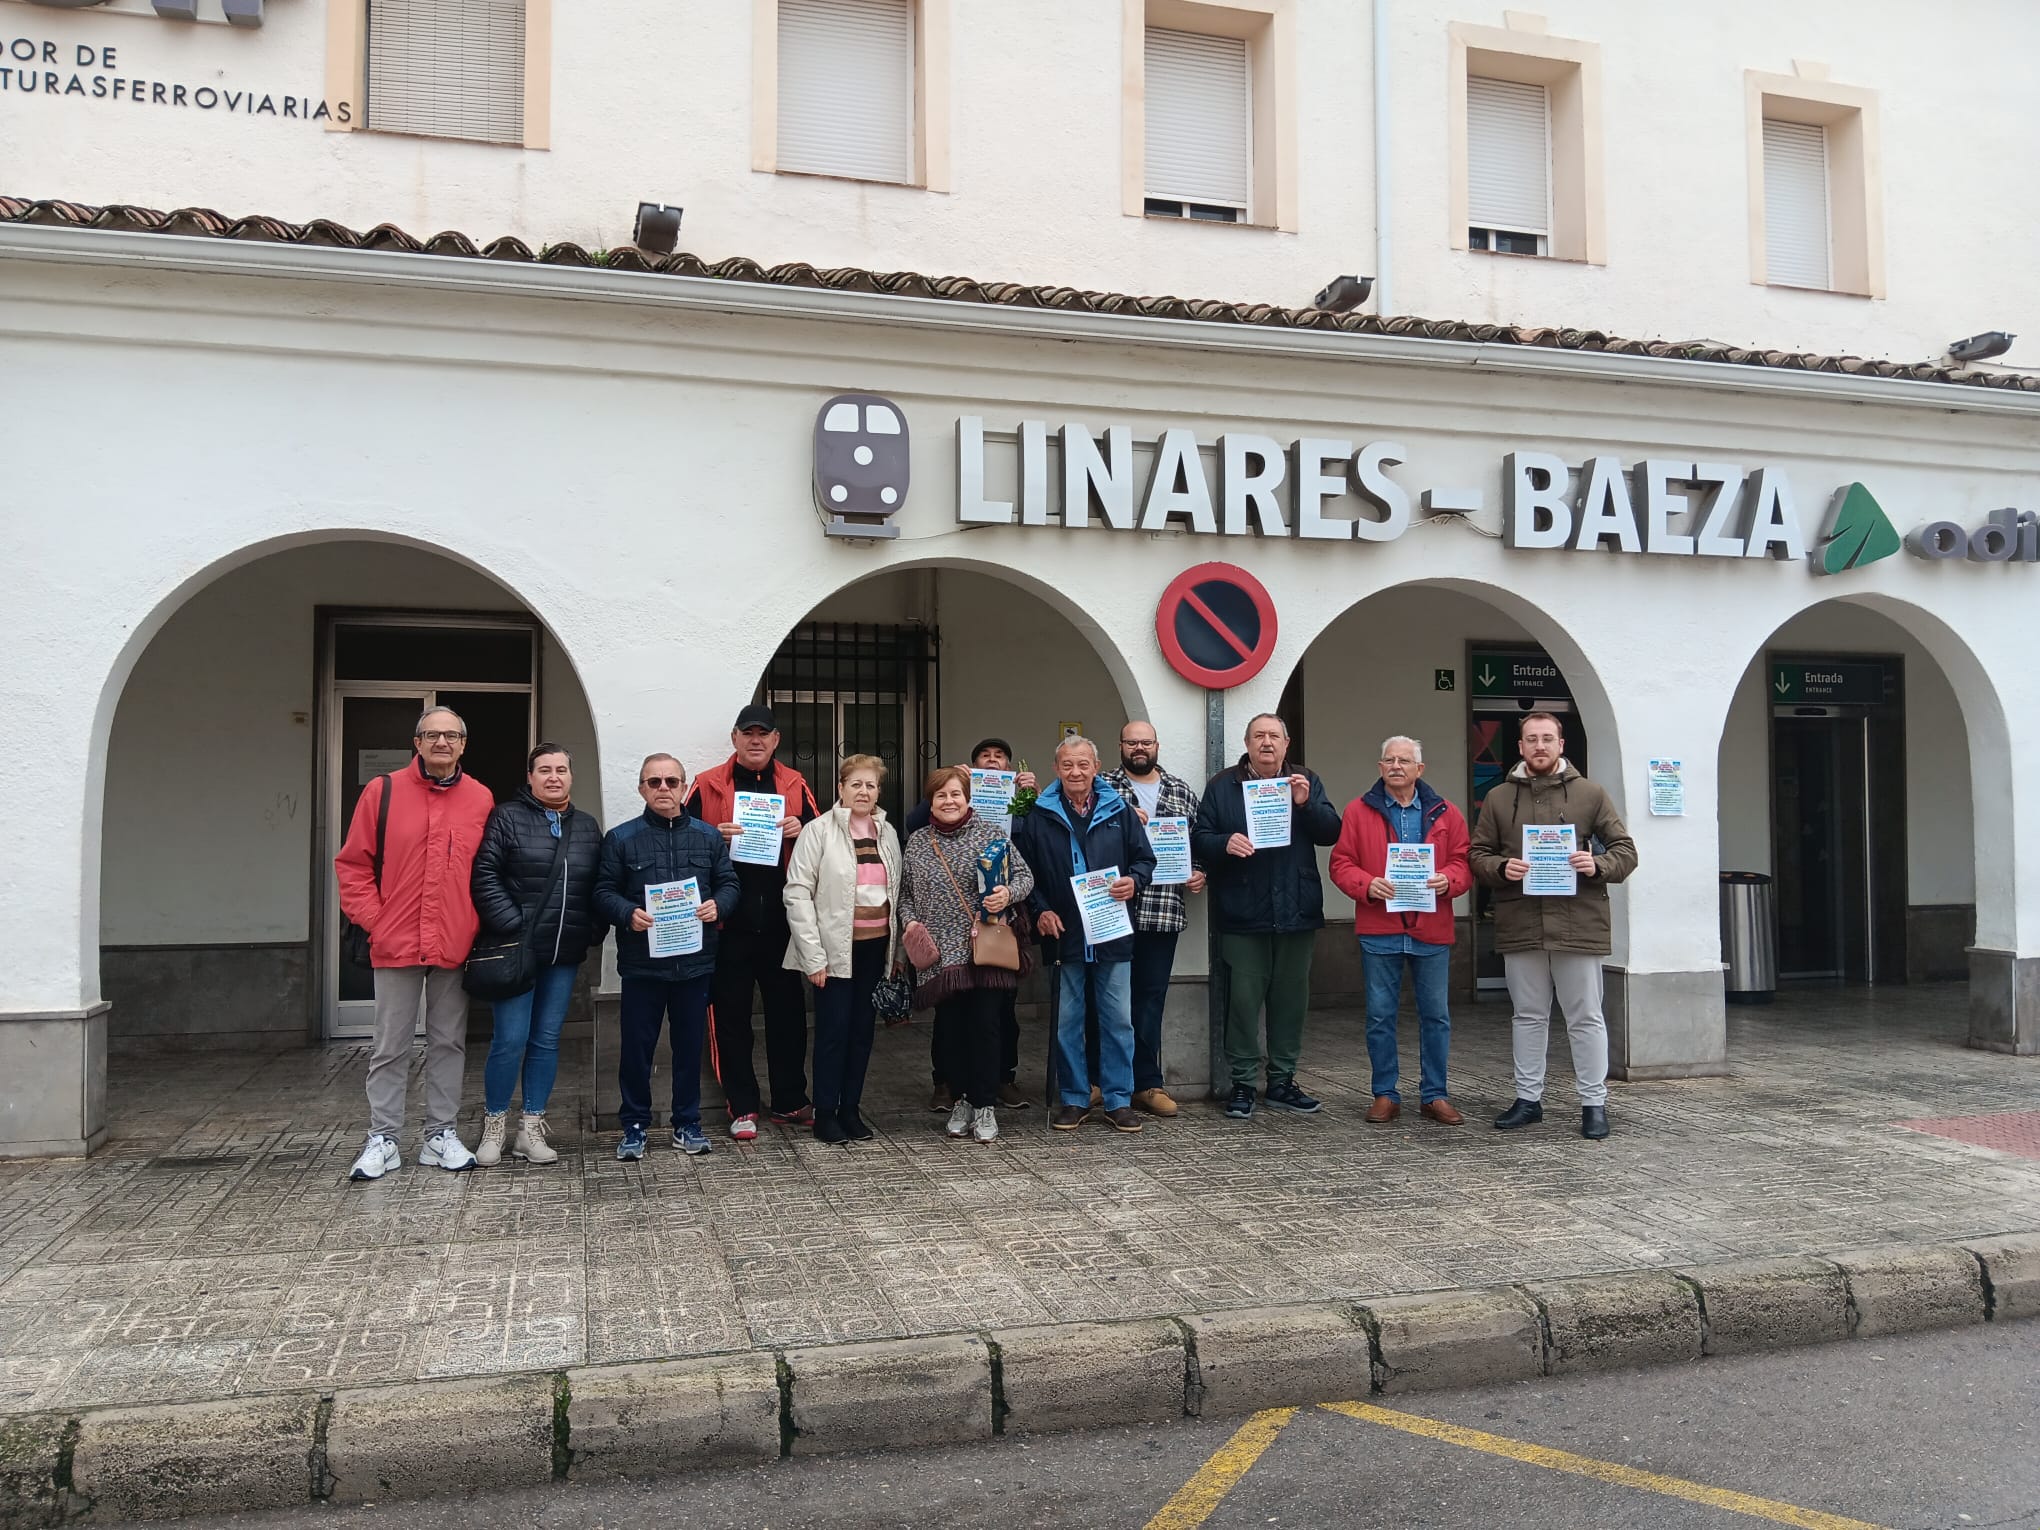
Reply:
x=1198 y=119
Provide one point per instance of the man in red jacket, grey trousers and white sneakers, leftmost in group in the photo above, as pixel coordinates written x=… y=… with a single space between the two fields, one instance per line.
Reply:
x=421 y=923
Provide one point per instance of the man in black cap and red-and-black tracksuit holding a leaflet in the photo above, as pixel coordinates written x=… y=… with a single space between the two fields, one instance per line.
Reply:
x=752 y=954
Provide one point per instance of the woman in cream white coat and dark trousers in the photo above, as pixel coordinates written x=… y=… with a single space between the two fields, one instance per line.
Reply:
x=841 y=892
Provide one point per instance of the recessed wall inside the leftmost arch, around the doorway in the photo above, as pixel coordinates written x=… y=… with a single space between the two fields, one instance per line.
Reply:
x=209 y=774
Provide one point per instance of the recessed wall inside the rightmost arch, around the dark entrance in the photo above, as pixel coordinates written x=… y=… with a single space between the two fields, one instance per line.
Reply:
x=1939 y=827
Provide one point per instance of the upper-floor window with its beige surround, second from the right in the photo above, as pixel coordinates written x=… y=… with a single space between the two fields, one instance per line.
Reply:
x=1525 y=127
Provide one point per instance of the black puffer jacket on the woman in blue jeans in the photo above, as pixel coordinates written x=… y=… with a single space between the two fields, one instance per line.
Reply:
x=515 y=868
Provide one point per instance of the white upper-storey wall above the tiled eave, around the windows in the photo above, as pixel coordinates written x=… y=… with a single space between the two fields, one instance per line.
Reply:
x=654 y=103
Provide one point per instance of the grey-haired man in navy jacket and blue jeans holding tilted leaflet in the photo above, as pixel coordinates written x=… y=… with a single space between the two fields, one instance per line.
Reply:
x=1078 y=827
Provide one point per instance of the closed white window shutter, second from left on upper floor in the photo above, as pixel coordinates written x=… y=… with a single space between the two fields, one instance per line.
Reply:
x=848 y=89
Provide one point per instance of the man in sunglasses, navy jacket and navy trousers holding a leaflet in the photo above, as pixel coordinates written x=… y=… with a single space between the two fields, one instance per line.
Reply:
x=664 y=844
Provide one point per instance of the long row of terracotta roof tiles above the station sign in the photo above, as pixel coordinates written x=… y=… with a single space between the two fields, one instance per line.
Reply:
x=207 y=223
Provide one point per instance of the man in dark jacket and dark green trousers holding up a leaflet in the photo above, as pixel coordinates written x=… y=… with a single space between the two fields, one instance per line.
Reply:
x=1270 y=907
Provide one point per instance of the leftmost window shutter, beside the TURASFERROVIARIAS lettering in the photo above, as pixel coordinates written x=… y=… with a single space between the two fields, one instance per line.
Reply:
x=448 y=68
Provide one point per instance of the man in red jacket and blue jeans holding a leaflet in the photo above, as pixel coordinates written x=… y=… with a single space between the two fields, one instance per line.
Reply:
x=1402 y=811
